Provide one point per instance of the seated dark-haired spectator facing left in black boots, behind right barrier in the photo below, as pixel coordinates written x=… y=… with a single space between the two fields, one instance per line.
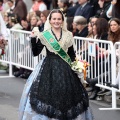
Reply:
x=100 y=31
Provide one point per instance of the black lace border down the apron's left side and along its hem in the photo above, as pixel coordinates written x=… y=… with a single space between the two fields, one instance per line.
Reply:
x=50 y=111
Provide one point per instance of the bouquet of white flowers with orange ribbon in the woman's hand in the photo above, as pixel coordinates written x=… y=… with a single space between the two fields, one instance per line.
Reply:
x=80 y=67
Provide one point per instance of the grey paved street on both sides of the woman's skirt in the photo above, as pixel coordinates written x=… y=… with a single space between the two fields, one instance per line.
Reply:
x=10 y=93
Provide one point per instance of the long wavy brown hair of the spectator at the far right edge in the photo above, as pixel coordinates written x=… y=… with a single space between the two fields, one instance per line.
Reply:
x=114 y=36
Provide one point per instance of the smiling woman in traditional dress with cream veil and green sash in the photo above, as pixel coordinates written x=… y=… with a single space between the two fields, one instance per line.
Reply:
x=53 y=90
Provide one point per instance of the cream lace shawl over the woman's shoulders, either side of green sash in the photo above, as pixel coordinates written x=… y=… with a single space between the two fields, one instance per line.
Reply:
x=65 y=42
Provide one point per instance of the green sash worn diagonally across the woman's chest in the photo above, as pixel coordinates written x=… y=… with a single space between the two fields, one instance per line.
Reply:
x=55 y=45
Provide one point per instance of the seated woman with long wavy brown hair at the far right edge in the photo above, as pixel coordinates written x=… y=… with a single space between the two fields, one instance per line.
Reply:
x=114 y=36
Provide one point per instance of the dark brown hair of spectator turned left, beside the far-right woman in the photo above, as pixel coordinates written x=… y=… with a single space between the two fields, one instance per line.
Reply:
x=101 y=27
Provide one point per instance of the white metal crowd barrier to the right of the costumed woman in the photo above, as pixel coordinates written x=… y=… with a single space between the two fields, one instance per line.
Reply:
x=102 y=63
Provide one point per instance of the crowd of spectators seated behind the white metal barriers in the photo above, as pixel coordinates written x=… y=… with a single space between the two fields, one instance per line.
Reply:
x=97 y=19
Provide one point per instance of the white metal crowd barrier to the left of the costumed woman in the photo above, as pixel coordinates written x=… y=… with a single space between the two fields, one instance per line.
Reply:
x=19 y=53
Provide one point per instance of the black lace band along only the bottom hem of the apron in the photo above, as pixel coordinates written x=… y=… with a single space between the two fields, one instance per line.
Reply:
x=51 y=112
